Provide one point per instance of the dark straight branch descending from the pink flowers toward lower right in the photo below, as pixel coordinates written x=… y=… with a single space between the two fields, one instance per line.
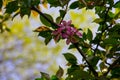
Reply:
x=89 y=65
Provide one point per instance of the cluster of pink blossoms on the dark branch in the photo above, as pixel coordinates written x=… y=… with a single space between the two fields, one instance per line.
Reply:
x=66 y=31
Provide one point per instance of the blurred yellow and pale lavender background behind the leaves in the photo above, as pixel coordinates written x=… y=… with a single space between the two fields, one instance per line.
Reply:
x=23 y=54
